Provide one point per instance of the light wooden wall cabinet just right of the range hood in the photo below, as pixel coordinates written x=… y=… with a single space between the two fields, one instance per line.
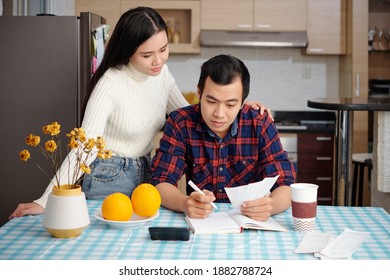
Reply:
x=326 y=26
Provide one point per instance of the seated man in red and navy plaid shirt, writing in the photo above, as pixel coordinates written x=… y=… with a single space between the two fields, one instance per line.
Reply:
x=221 y=143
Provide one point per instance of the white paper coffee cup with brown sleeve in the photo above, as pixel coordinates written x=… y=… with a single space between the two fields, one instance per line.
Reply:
x=304 y=206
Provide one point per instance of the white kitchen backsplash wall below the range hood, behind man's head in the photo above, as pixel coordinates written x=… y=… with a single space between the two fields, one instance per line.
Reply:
x=281 y=78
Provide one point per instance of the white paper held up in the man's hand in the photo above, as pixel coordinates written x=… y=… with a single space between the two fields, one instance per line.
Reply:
x=239 y=195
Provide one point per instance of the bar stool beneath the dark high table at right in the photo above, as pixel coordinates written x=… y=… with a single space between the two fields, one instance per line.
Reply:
x=359 y=162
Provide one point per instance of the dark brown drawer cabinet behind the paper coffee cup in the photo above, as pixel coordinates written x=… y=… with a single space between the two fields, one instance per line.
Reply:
x=315 y=163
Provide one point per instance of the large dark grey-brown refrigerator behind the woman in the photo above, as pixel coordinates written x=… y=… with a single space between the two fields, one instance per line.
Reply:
x=46 y=63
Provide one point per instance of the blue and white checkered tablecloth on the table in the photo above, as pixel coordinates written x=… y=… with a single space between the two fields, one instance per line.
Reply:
x=25 y=238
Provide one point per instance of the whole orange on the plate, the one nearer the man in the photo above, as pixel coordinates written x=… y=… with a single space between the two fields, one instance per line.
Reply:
x=146 y=200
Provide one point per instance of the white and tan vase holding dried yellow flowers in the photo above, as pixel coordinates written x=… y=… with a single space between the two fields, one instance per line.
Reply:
x=66 y=213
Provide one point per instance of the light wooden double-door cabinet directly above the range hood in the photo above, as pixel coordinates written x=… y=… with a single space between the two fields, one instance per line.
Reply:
x=254 y=15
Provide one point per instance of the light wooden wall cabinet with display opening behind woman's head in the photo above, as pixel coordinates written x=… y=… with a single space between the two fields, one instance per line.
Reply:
x=182 y=18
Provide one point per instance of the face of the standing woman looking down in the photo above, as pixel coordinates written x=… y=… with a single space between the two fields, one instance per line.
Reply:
x=151 y=54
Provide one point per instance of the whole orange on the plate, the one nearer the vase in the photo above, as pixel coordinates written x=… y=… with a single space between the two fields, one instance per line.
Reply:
x=117 y=207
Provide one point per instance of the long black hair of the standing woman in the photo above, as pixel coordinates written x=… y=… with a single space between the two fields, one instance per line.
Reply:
x=133 y=28
